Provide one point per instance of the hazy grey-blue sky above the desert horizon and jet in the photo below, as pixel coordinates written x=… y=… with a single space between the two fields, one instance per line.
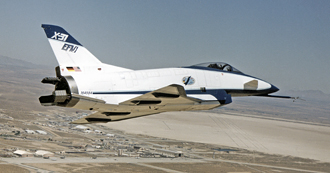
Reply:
x=286 y=43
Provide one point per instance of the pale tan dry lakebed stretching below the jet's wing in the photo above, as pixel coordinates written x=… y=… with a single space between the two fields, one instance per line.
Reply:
x=272 y=136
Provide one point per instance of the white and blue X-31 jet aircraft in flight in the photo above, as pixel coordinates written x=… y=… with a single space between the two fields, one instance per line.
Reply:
x=116 y=93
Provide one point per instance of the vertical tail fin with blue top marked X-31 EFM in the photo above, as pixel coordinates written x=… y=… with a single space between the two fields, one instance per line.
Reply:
x=70 y=54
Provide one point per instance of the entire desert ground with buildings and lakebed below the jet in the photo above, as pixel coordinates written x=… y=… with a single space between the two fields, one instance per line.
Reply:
x=250 y=135
